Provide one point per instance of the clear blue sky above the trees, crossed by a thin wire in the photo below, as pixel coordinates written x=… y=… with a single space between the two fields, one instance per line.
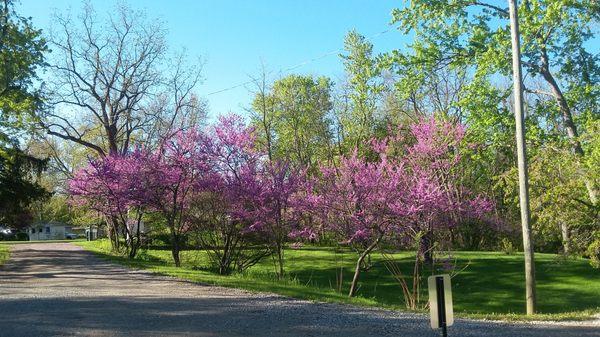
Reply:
x=234 y=37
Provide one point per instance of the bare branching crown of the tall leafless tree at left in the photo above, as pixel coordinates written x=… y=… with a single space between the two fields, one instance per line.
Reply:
x=114 y=82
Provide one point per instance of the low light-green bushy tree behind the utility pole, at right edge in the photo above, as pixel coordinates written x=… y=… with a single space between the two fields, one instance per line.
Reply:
x=562 y=216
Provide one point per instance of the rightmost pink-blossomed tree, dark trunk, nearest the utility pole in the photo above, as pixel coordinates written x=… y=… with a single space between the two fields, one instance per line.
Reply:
x=434 y=157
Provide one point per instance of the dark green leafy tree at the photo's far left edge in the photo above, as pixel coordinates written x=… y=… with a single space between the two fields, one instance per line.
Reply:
x=21 y=54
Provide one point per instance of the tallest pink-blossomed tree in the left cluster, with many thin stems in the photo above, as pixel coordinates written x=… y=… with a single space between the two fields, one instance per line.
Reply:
x=226 y=216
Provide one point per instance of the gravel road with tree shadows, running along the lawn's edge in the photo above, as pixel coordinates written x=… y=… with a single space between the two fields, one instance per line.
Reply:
x=58 y=289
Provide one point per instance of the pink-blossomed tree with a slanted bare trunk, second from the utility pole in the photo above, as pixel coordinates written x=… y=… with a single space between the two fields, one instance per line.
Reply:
x=359 y=202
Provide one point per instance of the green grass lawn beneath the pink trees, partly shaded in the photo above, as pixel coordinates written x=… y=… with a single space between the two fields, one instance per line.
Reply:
x=491 y=285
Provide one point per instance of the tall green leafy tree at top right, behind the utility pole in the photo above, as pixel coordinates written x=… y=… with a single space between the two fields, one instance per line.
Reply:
x=476 y=35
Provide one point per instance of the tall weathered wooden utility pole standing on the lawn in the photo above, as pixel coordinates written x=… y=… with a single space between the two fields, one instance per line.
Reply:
x=522 y=159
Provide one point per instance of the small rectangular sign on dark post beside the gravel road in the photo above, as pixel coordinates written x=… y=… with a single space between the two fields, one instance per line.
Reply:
x=440 y=302
